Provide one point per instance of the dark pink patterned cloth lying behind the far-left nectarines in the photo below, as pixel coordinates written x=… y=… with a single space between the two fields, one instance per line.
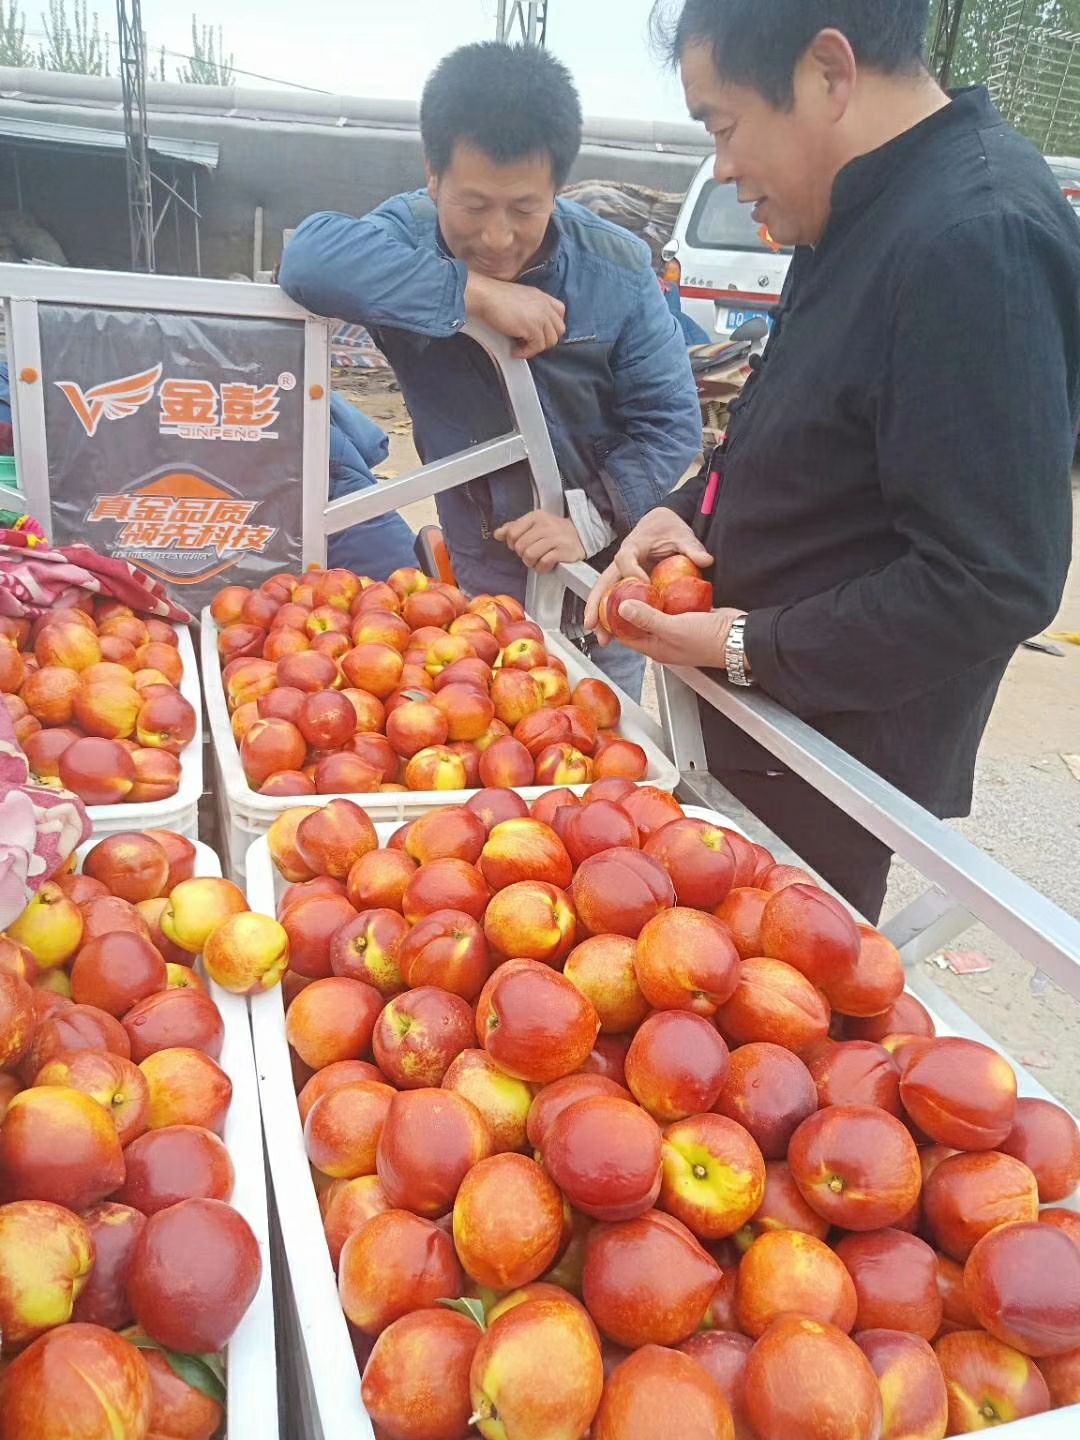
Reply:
x=35 y=578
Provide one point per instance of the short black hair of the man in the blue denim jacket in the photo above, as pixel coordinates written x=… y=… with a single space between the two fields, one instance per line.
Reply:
x=508 y=102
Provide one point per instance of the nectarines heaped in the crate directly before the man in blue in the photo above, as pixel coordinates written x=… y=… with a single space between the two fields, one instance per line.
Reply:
x=341 y=685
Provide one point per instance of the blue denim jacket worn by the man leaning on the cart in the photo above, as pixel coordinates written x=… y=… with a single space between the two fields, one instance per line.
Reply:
x=617 y=391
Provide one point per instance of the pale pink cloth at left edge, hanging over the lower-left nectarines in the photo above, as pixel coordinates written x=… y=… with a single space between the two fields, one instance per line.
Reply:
x=40 y=827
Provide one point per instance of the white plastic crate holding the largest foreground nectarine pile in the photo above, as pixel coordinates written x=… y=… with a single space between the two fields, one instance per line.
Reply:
x=326 y=1366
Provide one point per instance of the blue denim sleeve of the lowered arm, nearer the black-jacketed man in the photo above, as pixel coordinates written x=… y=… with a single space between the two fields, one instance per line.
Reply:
x=656 y=404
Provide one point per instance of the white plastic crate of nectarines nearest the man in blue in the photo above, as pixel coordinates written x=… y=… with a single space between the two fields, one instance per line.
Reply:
x=246 y=814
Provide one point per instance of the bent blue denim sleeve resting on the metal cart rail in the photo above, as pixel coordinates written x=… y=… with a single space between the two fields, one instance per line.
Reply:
x=375 y=271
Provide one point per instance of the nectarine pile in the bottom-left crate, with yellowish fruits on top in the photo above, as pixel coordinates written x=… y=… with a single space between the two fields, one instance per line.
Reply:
x=119 y=1246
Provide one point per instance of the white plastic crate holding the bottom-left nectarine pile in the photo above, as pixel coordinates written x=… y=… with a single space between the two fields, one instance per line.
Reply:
x=251 y=1362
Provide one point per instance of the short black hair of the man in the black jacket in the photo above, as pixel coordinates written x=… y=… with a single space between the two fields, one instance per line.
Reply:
x=760 y=42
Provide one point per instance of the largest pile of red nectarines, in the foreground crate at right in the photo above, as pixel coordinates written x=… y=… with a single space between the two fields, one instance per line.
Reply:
x=623 y=1130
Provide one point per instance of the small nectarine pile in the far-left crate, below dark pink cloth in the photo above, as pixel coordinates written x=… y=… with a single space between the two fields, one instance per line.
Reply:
x=93 y=693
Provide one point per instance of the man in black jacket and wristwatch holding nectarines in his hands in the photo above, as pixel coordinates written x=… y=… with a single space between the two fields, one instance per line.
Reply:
x=894 y=512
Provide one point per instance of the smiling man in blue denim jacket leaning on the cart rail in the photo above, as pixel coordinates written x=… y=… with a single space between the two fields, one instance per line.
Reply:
x=502 y=127
